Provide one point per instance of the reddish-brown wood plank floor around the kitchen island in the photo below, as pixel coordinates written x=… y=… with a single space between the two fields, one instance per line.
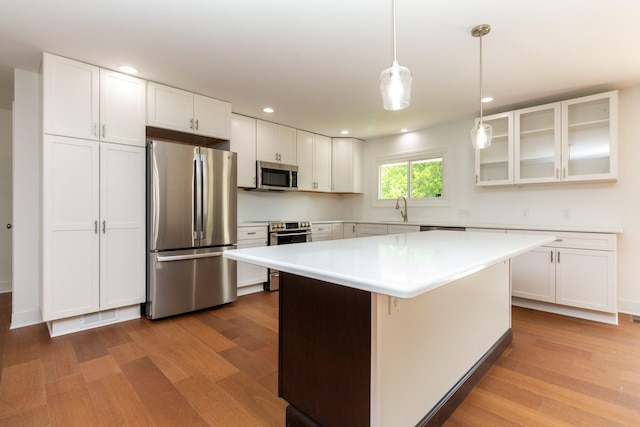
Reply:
x=219 y=368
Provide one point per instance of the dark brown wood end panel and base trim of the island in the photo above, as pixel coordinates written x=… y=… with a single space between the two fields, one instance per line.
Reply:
x=325 y=356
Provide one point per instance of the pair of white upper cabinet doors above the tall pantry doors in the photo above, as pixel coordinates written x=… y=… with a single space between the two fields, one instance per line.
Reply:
x=84 y=101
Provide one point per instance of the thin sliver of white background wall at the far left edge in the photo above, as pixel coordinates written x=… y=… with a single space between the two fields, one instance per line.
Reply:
x=5 y=200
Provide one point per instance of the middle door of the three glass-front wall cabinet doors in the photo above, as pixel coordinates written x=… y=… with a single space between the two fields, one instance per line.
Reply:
x=537 y=144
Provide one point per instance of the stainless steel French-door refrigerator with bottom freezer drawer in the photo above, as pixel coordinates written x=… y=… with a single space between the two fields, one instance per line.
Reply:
x=191 y=221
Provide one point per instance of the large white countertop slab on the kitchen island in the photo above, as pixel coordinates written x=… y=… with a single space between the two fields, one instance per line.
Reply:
x=400 y=265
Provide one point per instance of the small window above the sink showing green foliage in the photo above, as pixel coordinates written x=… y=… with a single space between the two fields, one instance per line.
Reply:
x=419 y=178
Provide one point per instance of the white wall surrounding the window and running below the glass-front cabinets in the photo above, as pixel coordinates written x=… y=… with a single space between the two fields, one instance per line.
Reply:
x=596 y=204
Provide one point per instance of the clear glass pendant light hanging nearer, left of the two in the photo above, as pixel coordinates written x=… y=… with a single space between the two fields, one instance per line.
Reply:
x=395 y=81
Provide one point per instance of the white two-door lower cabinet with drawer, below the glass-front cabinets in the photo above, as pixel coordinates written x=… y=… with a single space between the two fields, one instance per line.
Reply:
x=578 y=270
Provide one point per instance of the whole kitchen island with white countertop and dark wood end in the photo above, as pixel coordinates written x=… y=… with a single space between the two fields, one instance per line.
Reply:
x=389 y=330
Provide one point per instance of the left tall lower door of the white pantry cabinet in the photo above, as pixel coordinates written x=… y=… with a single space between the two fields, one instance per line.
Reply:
x=70 y=227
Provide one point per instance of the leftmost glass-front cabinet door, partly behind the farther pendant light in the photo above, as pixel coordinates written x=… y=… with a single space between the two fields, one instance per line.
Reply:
x=494 y=164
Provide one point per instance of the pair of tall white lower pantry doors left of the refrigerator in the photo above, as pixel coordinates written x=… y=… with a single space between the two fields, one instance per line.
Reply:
x=93 y=226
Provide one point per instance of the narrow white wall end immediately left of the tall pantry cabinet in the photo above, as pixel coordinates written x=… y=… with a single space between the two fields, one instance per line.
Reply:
x=26 y=200
